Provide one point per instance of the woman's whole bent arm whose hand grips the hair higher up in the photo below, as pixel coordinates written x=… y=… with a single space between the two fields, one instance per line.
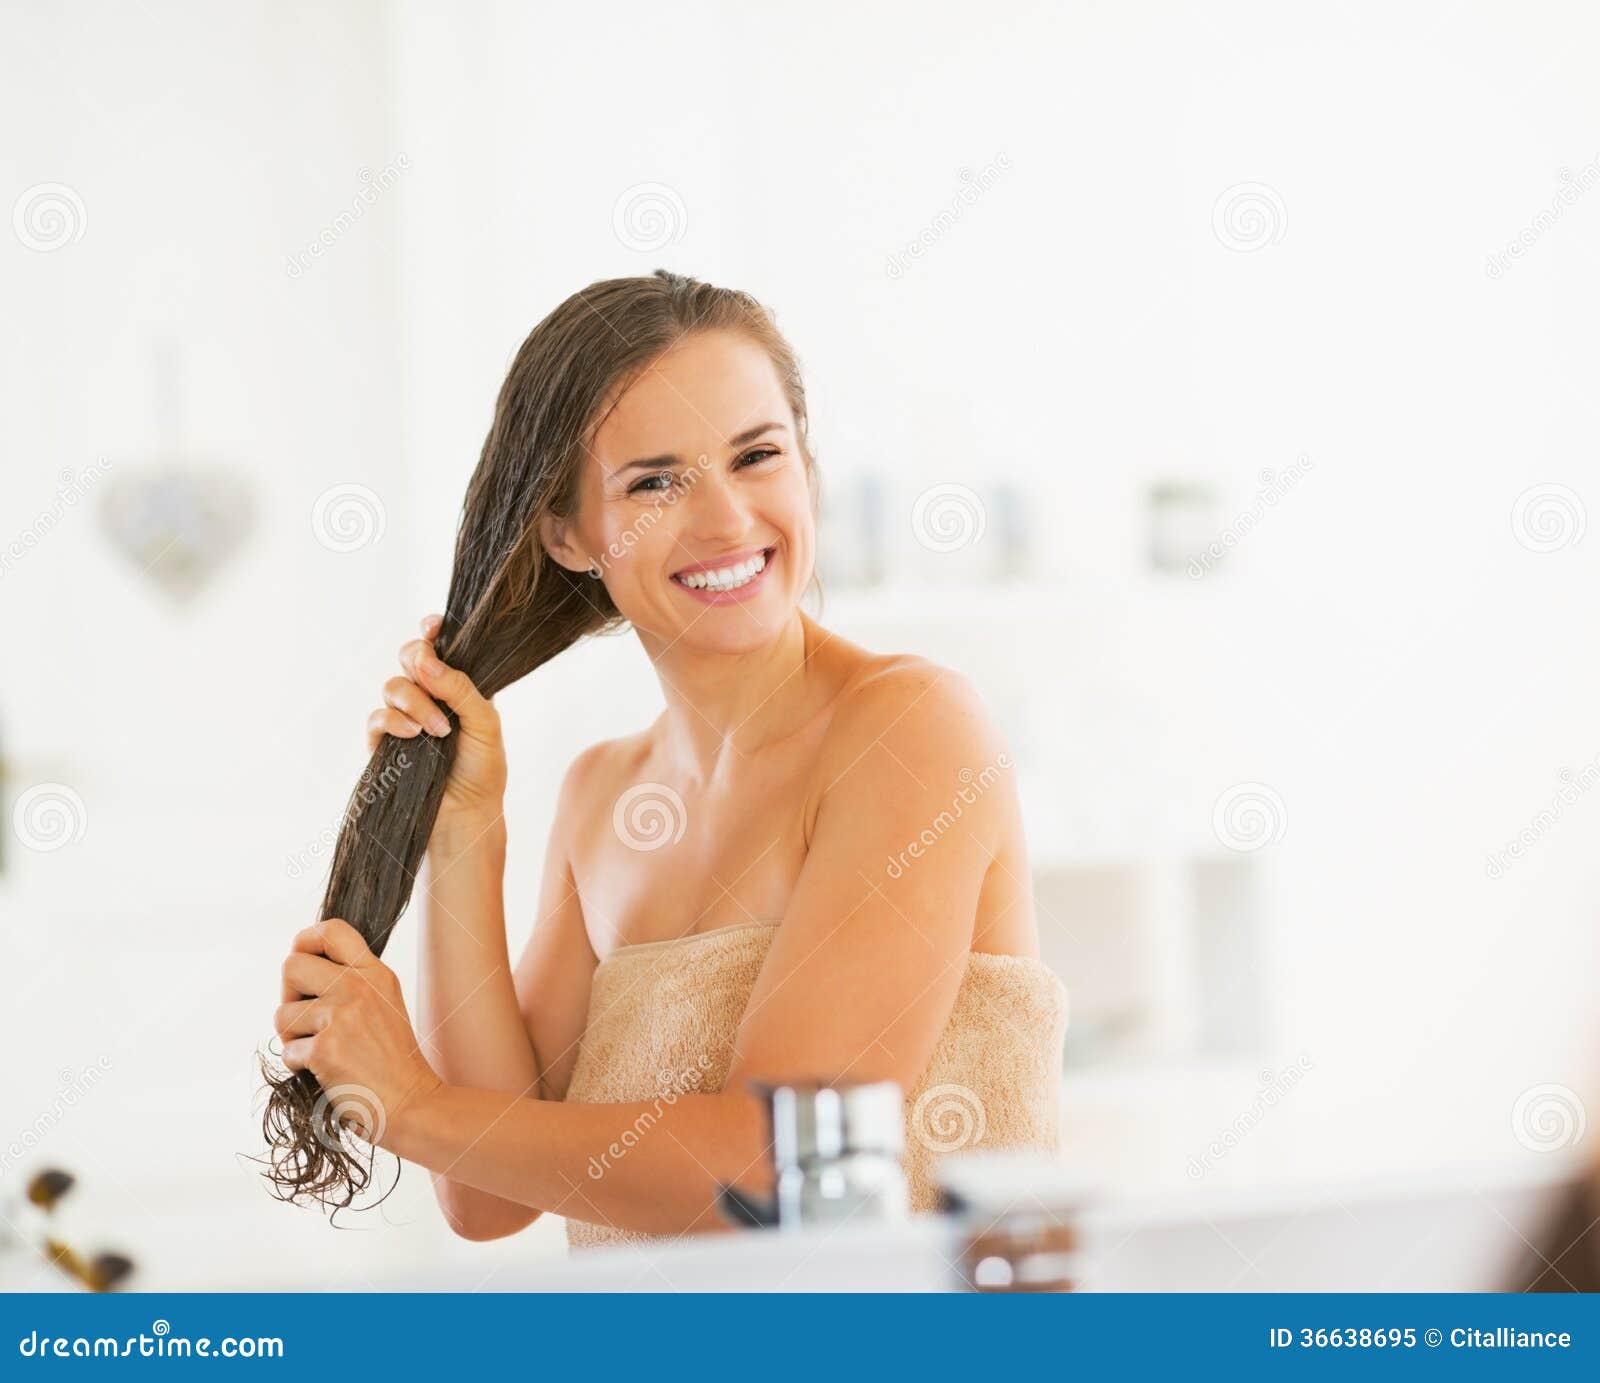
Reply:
x=478 y=1024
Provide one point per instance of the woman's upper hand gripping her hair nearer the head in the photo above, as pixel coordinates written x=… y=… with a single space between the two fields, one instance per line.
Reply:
x=476 y=788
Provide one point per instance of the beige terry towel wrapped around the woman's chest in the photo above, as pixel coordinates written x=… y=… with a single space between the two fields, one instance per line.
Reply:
x=663 y=1017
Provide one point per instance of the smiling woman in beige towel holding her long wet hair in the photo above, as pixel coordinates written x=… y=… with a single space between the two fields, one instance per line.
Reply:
x=812 y=865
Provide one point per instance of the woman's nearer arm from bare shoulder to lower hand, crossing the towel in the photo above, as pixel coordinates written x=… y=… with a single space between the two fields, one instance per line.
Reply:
x=858 y=984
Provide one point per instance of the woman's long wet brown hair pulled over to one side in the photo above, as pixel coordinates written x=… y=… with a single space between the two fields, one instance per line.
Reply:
x=511 y=609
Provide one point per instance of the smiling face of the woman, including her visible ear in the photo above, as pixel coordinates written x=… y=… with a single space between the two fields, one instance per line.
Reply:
x=695 y=502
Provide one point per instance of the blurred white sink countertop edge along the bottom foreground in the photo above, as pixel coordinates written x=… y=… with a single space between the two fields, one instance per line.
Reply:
x=1458 y=1233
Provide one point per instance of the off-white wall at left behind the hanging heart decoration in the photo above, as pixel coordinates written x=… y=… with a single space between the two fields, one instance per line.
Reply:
x=210 y=744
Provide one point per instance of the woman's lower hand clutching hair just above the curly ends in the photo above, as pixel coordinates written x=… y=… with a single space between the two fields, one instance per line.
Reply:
x=345 y=1019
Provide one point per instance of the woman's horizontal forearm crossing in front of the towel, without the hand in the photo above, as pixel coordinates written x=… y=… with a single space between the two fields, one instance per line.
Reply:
x=652 y=1168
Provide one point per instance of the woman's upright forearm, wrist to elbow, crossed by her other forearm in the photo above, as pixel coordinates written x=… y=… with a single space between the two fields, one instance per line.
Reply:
x=470 y=1025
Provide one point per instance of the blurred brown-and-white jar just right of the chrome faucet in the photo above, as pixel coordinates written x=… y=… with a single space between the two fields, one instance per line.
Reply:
x=1015 y=1219
